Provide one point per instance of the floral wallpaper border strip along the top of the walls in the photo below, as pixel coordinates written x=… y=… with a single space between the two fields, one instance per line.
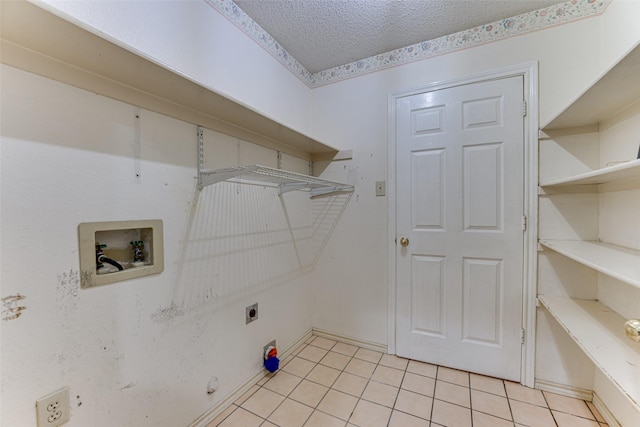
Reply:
x=553 y=15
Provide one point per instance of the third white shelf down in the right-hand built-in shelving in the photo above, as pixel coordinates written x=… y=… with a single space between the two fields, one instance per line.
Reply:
x=615 y=261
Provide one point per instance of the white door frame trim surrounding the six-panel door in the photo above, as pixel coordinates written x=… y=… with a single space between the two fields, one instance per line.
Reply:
x=529 y=72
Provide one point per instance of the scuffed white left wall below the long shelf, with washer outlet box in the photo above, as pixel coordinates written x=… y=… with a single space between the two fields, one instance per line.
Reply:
x=140 y=352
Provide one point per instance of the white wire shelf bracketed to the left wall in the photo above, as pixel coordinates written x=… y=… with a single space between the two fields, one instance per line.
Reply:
x=285 y=181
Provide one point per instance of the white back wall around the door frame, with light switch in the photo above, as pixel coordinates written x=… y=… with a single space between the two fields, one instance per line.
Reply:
x=354 y=114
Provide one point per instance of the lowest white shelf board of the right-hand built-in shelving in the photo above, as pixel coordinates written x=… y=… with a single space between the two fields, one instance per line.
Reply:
x=599 y=332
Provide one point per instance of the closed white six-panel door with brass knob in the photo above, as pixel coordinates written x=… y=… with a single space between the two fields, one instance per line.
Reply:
x=459 y=205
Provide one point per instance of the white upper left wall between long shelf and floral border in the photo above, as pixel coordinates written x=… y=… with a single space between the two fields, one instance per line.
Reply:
x=192 y=38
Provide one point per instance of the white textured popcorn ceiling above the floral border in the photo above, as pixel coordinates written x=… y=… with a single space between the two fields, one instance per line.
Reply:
x=323 y=34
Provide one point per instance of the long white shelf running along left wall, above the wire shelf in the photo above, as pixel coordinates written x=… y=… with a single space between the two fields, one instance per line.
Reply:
x=35 y=40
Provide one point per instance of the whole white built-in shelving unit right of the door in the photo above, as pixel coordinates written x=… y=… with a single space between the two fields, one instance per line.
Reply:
x=600 y=126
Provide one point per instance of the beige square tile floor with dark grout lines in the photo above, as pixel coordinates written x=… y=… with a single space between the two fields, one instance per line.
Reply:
x=327 y=383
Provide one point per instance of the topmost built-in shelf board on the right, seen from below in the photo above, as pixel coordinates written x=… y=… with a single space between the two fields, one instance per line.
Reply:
x=618 y=88
